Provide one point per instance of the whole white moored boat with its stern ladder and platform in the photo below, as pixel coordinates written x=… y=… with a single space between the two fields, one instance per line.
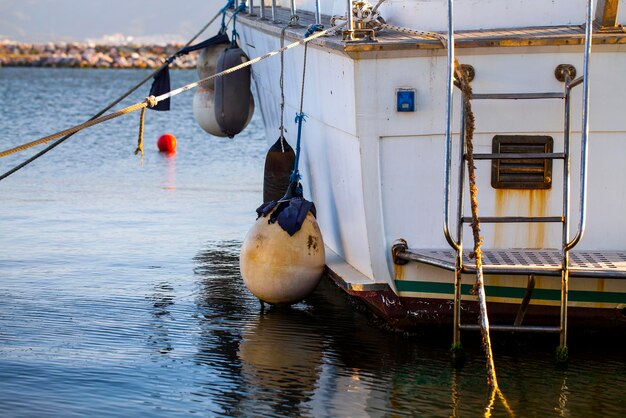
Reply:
x=386 y=170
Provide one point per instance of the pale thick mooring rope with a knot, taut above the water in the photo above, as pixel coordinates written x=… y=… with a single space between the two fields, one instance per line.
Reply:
x=152 y=99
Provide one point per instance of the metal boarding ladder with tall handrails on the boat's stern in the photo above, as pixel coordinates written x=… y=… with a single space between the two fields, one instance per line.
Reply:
x=567 y=243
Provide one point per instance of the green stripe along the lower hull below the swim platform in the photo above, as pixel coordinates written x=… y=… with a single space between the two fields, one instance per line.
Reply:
x=512 y=292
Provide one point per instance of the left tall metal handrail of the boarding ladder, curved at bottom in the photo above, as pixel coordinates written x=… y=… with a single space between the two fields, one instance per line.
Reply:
x=449 y=88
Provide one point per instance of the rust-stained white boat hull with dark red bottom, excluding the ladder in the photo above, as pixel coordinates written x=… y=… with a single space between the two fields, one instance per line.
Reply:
x=376 y=174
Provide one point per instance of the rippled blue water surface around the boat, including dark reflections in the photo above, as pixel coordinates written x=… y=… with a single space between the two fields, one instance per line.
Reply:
x=120 y=293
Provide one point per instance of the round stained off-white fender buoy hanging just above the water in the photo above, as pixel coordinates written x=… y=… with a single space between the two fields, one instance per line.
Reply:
x=282 y=269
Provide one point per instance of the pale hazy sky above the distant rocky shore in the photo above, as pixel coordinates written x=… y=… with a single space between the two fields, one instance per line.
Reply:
x=79 y=20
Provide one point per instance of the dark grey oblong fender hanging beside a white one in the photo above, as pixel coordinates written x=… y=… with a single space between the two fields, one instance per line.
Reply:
x=234 y=104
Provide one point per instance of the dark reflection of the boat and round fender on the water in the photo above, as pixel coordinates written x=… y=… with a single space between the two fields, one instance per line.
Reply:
x=322 y=357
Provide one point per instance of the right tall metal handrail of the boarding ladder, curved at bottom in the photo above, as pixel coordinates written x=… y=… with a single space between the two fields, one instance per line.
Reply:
x=584 y=156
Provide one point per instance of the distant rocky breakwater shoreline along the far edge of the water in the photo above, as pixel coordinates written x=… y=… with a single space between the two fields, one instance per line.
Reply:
x=86 y=55
